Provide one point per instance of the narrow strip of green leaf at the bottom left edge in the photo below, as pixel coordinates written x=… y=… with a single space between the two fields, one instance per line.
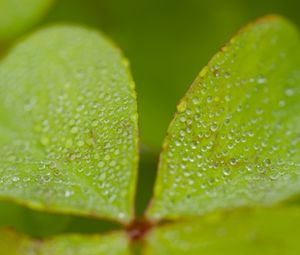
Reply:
x=12 y=243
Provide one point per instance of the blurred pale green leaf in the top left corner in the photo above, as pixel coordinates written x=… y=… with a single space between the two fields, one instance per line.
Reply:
x=18 y=15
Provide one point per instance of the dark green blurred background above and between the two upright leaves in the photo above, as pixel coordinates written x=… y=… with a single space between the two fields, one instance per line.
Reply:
x=167 y=43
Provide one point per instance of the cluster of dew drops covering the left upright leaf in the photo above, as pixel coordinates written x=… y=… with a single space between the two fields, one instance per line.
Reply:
x=86 y=137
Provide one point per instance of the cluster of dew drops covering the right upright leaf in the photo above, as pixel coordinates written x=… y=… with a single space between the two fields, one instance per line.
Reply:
x=224 y=130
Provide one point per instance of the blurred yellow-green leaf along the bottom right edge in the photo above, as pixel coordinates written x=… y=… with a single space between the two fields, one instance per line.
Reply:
x=265 y=232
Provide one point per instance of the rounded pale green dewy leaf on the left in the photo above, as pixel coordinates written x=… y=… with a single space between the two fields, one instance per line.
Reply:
x=68 y=125
